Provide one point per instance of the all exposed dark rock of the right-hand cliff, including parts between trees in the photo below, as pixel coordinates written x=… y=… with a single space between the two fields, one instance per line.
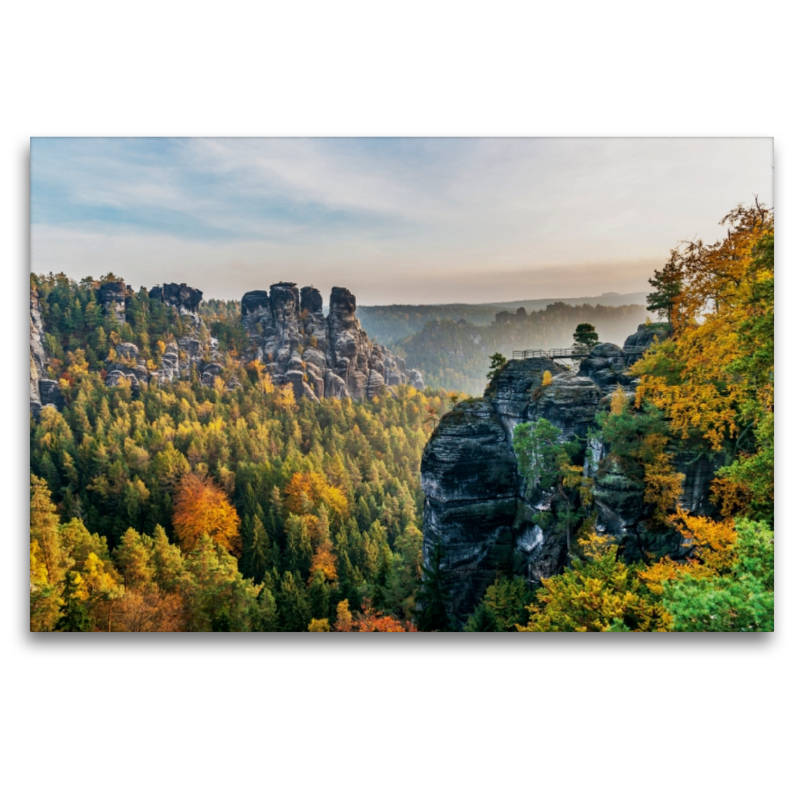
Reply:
x=478 y=506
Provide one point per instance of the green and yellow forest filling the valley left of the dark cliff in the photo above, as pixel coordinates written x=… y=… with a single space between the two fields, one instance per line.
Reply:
x=191 y=507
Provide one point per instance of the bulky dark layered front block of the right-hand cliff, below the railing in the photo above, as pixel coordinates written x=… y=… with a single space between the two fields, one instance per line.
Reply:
x=476 y=502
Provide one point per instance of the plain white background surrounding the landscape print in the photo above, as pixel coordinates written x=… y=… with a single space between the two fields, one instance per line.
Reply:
x=199 y=716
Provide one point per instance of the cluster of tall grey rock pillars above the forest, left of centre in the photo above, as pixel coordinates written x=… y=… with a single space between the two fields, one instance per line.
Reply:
x=318 y=356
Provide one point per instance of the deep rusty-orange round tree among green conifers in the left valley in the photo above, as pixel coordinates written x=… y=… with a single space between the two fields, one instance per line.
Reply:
x=201 y=507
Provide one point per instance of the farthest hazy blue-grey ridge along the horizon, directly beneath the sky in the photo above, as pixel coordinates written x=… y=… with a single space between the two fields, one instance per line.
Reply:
x=389 y=324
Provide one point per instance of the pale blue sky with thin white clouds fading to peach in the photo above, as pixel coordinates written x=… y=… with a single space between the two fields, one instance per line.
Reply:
x=417 y=220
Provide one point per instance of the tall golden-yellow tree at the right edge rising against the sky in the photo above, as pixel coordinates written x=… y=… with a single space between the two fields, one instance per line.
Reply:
x=697 y=376
